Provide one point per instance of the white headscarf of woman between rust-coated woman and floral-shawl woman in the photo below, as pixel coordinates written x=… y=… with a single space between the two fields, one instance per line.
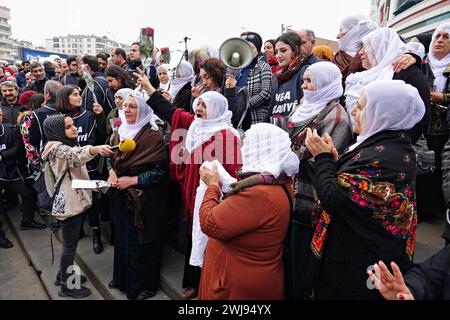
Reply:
x=327 y=79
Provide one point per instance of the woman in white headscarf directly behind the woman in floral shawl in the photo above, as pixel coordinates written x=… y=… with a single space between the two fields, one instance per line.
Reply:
x=381 y=48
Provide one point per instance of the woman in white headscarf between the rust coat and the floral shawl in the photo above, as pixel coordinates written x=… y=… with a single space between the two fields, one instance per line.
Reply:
x=320 y=110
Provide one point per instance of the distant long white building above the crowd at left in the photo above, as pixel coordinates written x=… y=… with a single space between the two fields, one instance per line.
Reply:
x=82 y=44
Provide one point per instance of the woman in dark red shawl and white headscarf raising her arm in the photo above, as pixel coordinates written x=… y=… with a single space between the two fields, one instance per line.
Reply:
x=207 y=135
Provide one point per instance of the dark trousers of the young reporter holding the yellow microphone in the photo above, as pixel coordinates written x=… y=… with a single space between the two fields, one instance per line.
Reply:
x=71 y=235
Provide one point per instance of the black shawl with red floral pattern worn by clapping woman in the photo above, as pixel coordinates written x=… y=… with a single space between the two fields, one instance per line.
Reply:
x=379 y=177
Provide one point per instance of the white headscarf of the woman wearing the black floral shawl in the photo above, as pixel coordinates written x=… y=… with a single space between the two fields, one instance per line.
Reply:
x=392 y=105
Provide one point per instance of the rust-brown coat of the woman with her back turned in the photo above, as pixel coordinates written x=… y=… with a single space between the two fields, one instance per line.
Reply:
x=243 y=259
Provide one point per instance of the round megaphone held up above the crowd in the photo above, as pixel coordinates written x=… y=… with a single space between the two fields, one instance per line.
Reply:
x=236 y=54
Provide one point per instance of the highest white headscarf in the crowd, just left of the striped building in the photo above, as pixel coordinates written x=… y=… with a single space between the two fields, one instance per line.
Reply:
x=355 y=28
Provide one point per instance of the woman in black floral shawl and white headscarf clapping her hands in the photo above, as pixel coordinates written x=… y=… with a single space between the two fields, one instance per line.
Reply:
x=367 y=198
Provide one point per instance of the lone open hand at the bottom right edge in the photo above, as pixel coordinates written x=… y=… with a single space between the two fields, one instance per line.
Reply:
x=391 y=286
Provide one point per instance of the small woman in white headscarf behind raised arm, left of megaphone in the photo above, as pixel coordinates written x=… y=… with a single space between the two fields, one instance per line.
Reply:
x=180 y=89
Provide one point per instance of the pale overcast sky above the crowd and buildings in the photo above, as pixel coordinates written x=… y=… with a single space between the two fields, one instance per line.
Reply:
x=206 y=22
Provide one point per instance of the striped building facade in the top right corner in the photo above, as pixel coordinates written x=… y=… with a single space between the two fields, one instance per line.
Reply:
x=410 y=17
